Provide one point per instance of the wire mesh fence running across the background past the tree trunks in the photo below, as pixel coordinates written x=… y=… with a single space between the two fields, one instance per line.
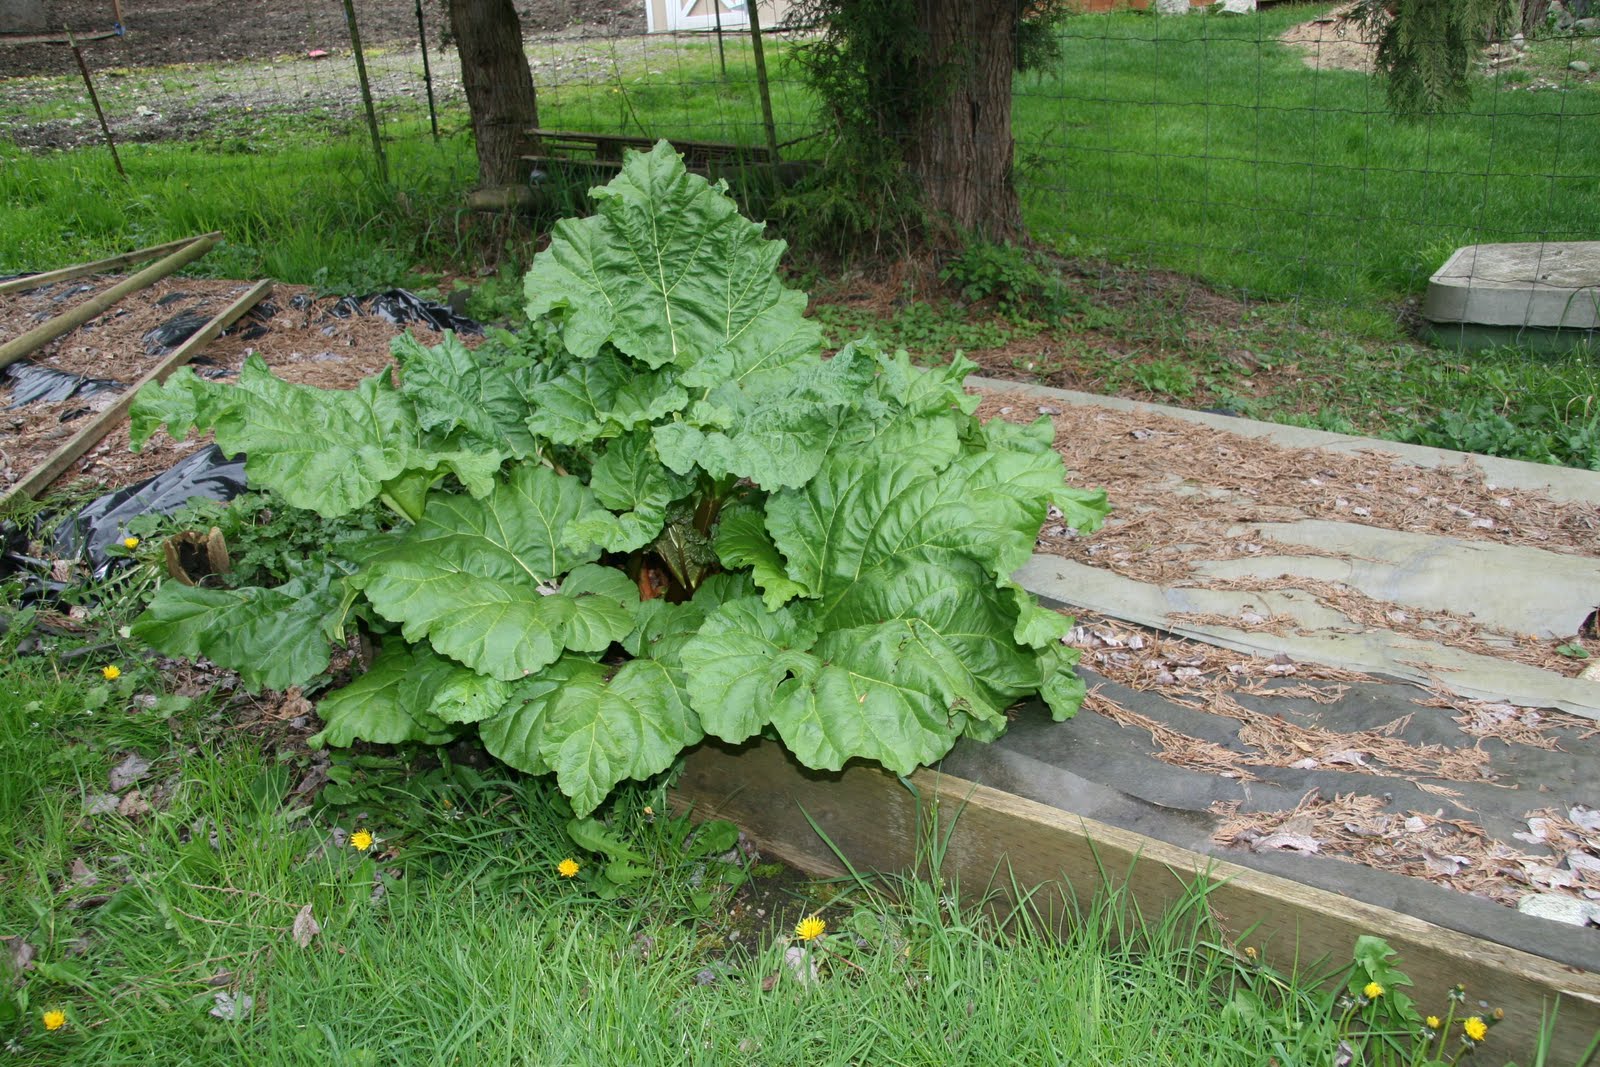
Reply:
x=1254 y=153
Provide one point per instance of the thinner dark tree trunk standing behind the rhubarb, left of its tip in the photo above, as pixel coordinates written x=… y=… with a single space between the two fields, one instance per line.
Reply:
x=498 y=82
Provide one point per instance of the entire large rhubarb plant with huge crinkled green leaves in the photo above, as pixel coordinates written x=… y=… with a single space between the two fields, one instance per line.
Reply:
x=663 y=514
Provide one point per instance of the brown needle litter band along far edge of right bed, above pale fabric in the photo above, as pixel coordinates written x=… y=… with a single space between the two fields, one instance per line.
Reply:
x=1182 y=489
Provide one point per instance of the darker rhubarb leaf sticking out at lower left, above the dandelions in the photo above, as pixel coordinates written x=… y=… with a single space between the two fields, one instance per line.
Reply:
x=273 y=637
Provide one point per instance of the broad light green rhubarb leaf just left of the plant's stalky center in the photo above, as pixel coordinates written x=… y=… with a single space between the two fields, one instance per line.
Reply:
x=478 y=578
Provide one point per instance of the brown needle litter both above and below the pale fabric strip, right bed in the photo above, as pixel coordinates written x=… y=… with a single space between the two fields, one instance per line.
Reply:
x=1188 y=495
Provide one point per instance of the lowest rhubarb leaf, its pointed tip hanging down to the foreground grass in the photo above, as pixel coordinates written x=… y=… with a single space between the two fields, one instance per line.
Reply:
x=596 y=732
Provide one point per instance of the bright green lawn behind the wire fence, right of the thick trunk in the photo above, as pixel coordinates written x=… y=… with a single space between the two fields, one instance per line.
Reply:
x=1206 y=146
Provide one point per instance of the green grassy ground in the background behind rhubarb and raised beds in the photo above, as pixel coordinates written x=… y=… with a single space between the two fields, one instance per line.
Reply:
x=1196 y=145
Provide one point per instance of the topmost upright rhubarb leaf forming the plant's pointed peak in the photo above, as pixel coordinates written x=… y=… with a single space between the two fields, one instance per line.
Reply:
x=668 y=273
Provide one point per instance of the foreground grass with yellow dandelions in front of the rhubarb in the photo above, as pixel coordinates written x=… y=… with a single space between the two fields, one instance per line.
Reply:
x=182 y=905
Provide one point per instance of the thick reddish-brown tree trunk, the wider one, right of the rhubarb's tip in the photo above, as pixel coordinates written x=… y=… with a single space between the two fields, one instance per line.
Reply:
x=961 y=148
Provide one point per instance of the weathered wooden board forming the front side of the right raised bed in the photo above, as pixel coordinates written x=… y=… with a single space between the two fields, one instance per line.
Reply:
x=999 y=837
